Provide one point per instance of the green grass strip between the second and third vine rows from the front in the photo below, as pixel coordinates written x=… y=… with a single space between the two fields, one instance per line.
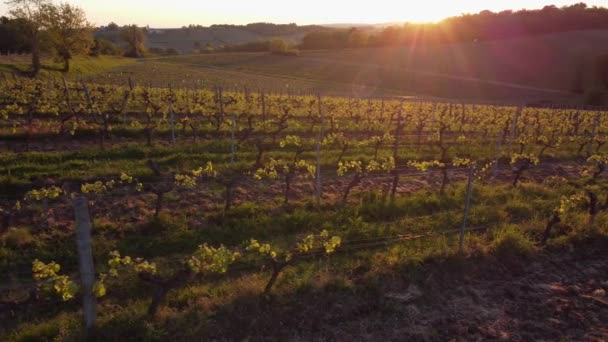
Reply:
x=80 y=157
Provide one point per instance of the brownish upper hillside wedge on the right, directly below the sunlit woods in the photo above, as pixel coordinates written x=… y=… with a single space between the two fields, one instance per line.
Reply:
x=548 y=61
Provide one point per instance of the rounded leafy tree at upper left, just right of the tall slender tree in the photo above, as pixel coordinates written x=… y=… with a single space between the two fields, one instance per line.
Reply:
x=69 y=31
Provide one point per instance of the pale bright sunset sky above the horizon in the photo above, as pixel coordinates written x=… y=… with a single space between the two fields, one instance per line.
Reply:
x=178 y=13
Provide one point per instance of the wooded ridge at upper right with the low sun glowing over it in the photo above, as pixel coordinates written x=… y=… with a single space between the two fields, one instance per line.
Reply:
x=485 y=25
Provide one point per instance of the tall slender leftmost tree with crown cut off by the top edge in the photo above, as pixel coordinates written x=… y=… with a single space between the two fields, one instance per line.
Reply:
x=31 y=14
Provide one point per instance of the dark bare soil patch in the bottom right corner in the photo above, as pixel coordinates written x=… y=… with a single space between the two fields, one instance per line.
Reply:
x=558 y=296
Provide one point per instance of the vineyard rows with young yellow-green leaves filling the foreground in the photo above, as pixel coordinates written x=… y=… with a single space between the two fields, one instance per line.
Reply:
x=183 y=212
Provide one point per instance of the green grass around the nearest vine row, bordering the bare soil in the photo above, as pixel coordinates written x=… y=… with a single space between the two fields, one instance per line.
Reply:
x=213 y=307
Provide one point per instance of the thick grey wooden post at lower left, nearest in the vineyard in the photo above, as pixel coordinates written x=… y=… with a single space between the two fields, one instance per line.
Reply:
x=85 y=255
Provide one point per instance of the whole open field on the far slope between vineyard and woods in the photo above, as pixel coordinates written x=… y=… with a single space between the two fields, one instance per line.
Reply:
x=531 y=69
